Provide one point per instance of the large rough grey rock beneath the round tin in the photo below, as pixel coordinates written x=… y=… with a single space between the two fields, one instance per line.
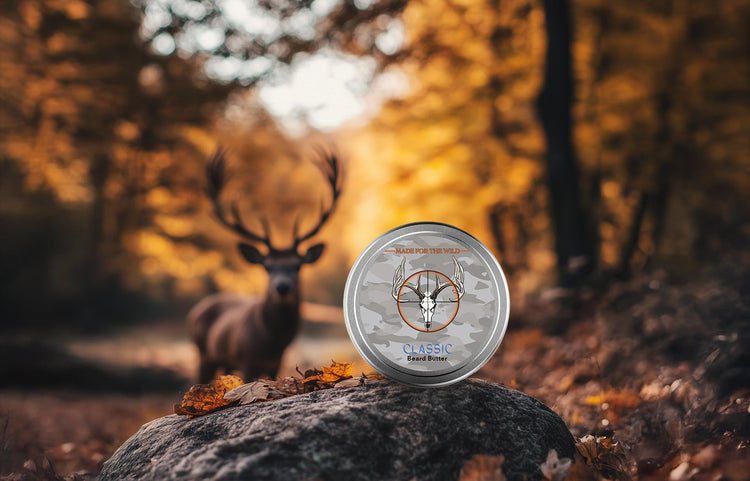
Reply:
x=380 y=431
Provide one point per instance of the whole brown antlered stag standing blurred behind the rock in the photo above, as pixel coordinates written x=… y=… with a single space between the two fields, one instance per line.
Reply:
x=248 y=334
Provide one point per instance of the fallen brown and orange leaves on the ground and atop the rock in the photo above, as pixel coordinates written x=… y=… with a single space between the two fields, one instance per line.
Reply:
x=653 y=379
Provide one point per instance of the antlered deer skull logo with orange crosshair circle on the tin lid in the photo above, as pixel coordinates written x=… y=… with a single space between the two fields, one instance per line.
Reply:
x=444 y=291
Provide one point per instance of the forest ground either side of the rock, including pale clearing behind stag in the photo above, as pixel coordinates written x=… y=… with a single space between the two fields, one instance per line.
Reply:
x=658 y=367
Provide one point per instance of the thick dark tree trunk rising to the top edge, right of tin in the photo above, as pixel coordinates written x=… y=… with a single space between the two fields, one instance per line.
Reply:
x=572 y=244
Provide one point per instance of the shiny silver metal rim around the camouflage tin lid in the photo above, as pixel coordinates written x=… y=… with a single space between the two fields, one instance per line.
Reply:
x=387 y=367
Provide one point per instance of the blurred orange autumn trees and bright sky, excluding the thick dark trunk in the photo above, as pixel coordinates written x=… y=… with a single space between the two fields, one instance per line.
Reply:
x=110 y=107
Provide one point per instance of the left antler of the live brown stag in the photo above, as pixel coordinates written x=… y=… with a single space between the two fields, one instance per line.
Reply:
x=217 y=177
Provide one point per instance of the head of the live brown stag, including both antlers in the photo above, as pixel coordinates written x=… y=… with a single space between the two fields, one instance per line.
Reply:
x=282 y=265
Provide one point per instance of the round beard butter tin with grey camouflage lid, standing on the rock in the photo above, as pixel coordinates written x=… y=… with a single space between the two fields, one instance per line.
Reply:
x=426 y=304
